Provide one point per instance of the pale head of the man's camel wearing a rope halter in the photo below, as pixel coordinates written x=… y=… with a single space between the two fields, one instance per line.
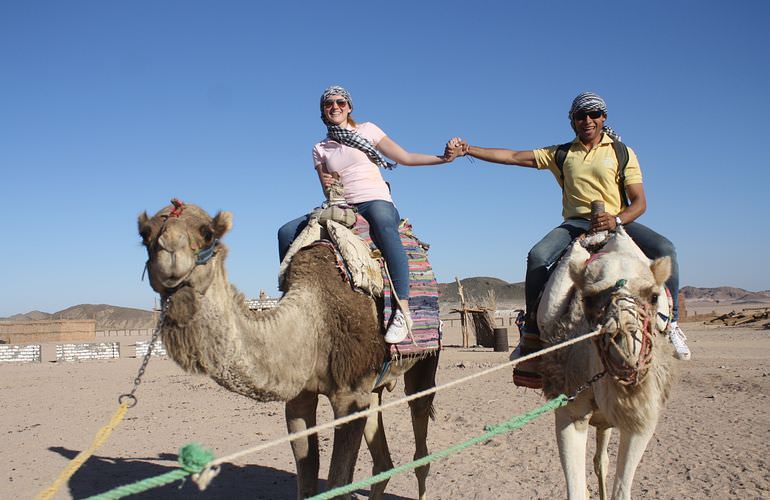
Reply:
x=620 y=292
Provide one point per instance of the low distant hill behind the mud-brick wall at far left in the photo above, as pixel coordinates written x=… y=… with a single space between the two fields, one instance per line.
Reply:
x=107 y=317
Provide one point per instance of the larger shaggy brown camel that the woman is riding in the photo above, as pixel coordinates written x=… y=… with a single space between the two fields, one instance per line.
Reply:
x=323 y=338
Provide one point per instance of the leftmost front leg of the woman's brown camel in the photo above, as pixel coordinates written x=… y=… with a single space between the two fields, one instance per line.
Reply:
x=301 y=415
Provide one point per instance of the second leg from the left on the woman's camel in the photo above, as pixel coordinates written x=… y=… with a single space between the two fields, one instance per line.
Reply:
x=347 y=437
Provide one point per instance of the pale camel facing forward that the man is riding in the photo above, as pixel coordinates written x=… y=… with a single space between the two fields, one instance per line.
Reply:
x=618 y=290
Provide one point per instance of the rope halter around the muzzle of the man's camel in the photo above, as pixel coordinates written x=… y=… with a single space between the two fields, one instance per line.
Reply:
x=627 y=371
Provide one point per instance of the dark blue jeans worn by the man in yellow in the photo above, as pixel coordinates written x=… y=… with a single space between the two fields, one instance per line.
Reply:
x=548 y=251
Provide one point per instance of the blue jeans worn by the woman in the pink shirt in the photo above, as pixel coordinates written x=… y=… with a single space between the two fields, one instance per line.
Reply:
x=383 y=219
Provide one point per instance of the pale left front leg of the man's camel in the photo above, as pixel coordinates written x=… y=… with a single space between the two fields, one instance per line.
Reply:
x=571 y=436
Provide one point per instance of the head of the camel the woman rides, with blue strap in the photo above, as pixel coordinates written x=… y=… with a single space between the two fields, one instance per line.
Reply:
x=181 y=241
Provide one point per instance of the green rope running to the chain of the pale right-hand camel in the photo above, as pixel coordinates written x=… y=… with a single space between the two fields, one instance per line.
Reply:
x=492 y=430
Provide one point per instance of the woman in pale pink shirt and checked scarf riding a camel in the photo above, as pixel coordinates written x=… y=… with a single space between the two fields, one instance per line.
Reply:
x=354 y=152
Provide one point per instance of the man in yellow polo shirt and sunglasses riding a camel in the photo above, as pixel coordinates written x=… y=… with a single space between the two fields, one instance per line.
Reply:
x=588 y=168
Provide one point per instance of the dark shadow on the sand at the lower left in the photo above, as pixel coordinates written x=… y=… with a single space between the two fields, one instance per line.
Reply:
x=100 y=474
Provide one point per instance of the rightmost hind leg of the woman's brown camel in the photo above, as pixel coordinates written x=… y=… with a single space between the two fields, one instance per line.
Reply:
x=422 y=376
